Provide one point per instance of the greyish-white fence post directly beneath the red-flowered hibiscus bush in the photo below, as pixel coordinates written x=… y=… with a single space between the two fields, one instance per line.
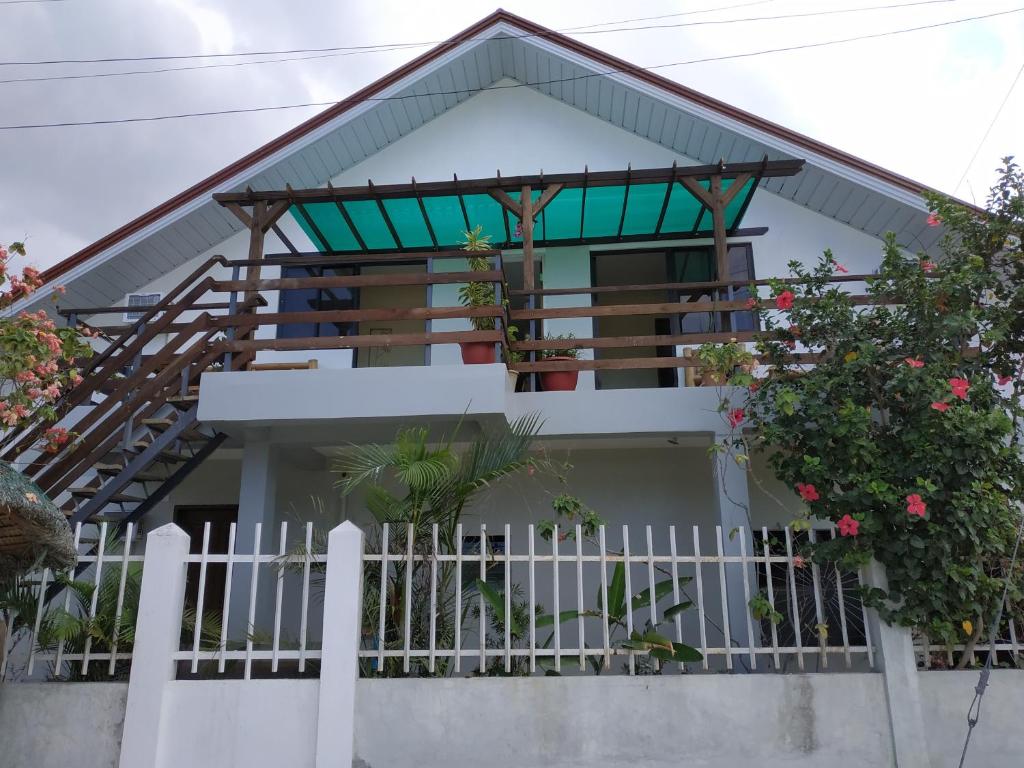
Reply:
x=895 y=650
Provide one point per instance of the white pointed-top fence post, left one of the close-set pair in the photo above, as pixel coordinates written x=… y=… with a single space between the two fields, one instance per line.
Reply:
x=158 y=635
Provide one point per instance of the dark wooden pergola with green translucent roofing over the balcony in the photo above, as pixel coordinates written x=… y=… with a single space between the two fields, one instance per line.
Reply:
x=676 y=203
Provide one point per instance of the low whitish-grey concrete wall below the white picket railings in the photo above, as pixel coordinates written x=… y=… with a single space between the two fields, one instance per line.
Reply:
x=772 y=721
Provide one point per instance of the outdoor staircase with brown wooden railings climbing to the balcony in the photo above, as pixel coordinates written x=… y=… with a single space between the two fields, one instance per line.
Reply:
x=136 y=417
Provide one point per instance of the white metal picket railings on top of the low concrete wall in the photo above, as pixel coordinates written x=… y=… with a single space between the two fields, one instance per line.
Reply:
x=270 y=619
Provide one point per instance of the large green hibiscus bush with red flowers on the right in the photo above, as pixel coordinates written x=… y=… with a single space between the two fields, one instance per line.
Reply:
x=897 y=415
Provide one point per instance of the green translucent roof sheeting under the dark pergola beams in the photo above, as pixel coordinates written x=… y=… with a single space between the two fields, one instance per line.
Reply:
x=577 y=214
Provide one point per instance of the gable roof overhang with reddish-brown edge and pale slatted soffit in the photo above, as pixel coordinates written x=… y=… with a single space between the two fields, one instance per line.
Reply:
x=838 y=185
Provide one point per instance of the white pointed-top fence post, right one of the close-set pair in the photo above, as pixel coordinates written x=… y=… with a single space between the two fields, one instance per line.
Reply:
x=339 y=664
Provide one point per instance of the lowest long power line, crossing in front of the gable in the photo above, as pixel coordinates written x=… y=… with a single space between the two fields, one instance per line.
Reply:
x=458 y=93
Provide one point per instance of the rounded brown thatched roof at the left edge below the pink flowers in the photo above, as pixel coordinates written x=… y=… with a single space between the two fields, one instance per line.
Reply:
x=33 y=531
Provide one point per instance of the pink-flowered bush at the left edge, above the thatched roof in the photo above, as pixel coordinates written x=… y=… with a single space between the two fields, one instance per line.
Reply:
x=37 y=359
